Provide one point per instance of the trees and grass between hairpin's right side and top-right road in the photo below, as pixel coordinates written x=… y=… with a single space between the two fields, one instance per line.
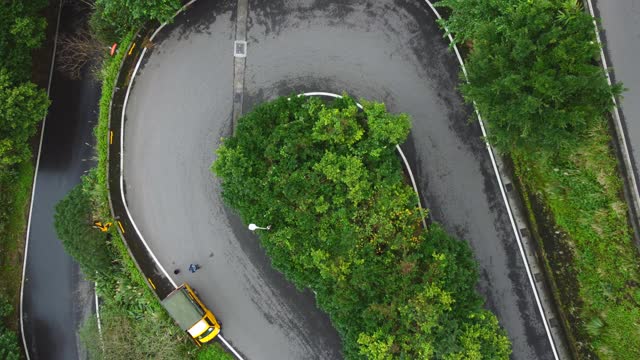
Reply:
x=534 y=77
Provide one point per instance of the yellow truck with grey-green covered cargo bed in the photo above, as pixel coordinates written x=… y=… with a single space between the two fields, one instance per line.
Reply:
x=191 y=315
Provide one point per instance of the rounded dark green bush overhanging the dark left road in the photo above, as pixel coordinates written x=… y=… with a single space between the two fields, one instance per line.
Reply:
x=73 y=222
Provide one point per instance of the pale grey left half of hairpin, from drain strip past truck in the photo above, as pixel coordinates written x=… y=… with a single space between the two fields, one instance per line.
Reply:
x=179 y=108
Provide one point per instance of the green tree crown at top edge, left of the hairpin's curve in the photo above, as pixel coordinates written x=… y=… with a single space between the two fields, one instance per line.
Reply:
x=113 y=19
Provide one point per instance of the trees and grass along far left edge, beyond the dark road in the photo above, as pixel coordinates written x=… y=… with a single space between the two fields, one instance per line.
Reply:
x=22 y=106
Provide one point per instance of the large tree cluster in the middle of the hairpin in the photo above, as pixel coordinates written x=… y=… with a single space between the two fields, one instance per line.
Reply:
x=345 y=224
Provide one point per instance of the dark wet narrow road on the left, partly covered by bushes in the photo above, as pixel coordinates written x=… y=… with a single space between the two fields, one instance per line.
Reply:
x=56 y=296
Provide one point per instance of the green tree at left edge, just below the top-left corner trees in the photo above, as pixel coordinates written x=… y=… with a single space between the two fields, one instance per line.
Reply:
x=21 y=108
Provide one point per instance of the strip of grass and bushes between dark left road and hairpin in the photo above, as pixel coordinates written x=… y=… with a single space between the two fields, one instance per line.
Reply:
x=133 y=323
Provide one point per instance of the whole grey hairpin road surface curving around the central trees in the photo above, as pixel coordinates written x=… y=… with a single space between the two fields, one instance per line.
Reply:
x=390 y=51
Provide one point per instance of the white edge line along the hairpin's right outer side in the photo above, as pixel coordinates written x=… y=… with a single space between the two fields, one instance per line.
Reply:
x=504 y=195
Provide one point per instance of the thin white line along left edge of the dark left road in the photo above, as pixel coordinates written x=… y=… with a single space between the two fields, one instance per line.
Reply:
x=33 y=188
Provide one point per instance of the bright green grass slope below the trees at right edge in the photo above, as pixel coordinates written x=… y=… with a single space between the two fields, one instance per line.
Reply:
x=575 y=203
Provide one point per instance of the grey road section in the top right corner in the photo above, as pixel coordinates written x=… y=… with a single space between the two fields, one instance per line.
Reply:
x=620 y=21
